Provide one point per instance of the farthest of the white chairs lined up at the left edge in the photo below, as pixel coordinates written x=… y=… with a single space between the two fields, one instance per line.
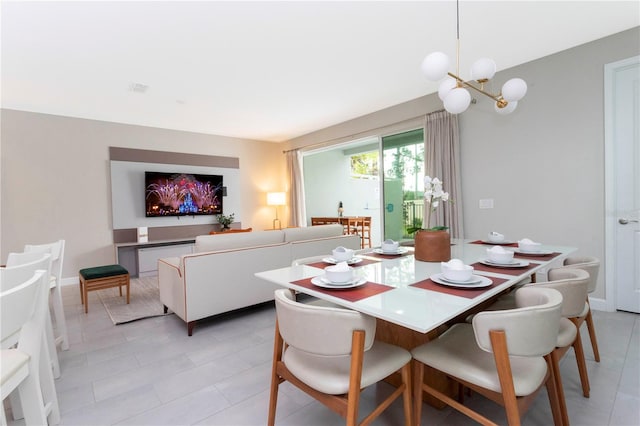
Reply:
x=57 y=252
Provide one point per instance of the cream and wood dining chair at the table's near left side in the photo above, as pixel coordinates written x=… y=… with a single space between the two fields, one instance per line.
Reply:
x=331 y=354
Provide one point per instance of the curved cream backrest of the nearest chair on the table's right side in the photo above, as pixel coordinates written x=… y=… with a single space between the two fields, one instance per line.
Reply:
x=531 y=329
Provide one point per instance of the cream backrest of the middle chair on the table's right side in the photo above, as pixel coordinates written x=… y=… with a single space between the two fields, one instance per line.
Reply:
x=572 y=284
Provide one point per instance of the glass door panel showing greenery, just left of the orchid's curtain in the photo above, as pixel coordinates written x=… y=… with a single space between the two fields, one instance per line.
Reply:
x=403 y=172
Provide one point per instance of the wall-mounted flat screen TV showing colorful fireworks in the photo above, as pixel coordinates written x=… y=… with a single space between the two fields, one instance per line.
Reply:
x=182 y=194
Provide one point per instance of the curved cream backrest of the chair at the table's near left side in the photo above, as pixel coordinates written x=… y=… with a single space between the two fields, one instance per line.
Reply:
x=319 y=330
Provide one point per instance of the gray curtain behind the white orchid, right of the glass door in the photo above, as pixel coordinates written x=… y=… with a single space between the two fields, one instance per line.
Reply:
x=442 y=160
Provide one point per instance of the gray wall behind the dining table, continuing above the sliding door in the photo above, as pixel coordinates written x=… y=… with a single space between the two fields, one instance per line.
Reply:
x=543 y=165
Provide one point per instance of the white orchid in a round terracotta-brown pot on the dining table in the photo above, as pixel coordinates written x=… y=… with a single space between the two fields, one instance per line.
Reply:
x=432 y=244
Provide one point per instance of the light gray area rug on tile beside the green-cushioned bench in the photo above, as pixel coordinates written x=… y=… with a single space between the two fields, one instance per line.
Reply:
x=144 y=301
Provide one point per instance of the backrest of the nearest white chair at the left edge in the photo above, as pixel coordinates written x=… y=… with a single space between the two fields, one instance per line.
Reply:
x=23 y=307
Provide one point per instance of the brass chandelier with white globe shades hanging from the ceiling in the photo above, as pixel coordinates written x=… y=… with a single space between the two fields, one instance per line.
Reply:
x=453 y=90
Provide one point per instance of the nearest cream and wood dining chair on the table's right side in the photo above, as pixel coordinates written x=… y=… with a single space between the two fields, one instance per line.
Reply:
x=503 y=355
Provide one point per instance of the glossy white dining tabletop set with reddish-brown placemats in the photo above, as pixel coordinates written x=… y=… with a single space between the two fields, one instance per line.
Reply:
x=409 y=299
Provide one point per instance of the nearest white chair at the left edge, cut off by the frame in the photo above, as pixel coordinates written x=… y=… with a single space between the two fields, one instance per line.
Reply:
x=24 y=365
